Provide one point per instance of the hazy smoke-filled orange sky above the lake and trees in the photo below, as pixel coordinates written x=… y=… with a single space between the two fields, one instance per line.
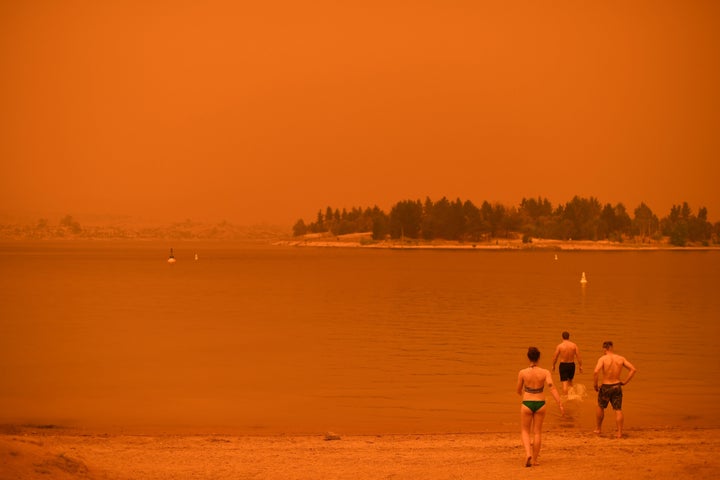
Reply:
x=229 y=110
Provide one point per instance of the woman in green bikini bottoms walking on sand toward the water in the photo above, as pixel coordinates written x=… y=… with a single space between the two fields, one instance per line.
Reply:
x=531 y=385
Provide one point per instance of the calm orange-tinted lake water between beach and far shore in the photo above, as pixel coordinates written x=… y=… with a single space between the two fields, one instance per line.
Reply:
x=268 y=339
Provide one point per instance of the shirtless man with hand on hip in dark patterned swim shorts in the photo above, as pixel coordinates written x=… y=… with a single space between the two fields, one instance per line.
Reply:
x=611 y=366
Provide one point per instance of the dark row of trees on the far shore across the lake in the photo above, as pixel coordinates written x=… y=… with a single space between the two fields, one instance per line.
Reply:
x=458 y=220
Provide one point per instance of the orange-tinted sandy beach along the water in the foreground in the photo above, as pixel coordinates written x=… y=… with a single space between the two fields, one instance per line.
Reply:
x=36 y=452
